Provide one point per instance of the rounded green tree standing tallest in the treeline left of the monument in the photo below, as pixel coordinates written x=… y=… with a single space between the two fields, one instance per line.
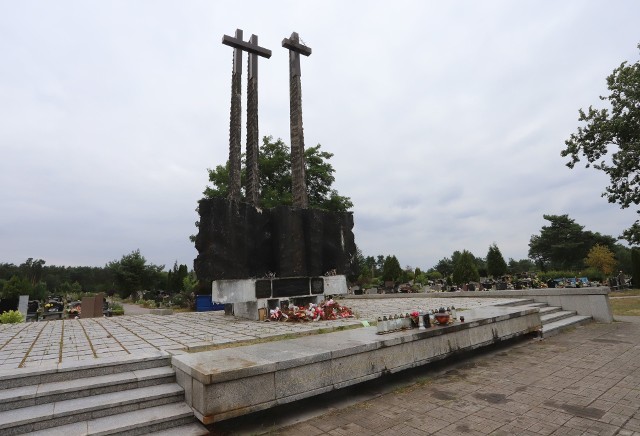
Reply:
x=132 y=273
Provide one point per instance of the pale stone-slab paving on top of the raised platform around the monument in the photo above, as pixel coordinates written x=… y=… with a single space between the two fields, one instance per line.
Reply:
x=49 y=343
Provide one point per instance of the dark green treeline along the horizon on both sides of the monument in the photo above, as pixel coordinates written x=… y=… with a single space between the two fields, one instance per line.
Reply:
x=561 y=247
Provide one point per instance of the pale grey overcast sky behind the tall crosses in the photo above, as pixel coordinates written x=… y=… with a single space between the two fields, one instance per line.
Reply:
x=446 y=119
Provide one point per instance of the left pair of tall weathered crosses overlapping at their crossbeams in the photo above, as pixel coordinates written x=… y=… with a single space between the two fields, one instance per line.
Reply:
x=235 y=125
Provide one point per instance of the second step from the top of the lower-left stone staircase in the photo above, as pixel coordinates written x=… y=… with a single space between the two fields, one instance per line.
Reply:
x=43 y=393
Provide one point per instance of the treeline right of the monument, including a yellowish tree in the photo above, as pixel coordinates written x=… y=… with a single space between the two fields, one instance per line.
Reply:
x=563 y=248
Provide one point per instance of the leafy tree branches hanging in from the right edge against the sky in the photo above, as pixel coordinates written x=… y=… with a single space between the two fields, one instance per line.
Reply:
x=615 y=131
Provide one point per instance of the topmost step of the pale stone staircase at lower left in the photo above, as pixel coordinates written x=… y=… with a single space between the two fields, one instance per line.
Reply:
x=67 y=371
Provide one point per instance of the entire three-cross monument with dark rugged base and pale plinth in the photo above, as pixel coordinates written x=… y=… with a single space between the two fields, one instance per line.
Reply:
x=251 y=258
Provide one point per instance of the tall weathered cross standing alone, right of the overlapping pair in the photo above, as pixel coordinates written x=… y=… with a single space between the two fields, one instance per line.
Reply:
x=300 y=198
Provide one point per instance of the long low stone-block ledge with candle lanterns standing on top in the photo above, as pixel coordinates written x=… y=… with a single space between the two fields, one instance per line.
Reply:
x=231 y=382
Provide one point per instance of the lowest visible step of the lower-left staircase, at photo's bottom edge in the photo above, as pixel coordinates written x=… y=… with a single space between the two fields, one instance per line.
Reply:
x=168 y=419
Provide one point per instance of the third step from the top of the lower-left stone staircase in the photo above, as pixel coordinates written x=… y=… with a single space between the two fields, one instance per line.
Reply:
x=45 y=416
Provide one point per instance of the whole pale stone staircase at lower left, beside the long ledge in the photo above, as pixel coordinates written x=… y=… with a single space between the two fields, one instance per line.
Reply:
x=135 y=396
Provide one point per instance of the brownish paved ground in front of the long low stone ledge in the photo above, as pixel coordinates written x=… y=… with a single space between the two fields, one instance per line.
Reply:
x=582 y=382
